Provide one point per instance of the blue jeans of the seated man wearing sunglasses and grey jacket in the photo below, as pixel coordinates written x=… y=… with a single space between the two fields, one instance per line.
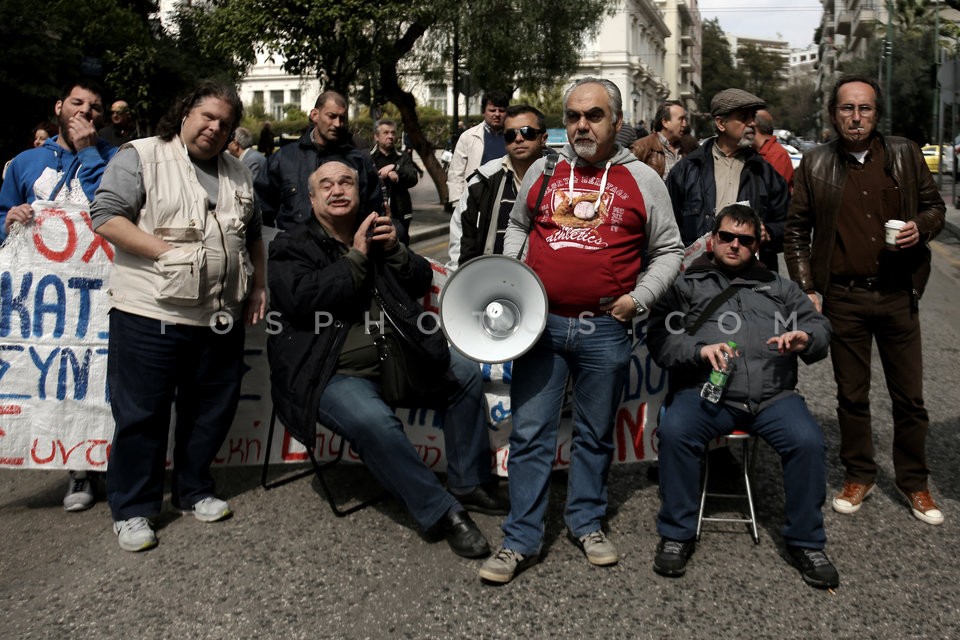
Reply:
x=689 y=423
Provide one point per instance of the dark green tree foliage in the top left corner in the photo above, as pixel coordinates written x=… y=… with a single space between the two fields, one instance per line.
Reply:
x=110 y=41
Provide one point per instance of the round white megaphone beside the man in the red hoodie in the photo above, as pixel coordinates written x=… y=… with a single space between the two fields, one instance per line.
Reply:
x=493 y=309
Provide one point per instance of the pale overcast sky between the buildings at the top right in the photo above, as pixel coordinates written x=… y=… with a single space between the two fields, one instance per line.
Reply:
x=790 y=20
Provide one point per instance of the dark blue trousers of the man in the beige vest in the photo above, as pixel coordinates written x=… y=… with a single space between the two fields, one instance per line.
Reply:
x=149 y=366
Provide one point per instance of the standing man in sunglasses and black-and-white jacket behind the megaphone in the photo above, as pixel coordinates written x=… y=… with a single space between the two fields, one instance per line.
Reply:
x=480 y=219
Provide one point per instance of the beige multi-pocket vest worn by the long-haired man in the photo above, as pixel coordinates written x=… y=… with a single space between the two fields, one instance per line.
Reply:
x=208 y=272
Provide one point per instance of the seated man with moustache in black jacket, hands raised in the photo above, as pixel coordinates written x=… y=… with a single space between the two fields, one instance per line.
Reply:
x=329 y=279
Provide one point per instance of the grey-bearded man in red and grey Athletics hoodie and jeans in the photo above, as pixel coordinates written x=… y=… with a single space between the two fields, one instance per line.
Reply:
x=597 y=227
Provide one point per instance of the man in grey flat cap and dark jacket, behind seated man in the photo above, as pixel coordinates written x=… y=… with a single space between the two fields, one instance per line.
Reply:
x=726 y=169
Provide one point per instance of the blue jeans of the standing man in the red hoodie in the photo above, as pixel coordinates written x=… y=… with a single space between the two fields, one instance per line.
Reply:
x=595 y=352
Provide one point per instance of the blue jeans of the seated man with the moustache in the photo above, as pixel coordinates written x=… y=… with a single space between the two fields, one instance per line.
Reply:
x=352 y=407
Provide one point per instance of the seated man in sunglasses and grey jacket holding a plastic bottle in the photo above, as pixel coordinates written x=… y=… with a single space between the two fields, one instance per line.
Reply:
x=772 y=322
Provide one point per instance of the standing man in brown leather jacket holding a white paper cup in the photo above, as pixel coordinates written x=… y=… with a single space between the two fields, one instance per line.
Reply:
x=844 y=193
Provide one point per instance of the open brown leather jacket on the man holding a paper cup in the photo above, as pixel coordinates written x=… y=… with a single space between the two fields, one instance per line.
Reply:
x=818 y=187
